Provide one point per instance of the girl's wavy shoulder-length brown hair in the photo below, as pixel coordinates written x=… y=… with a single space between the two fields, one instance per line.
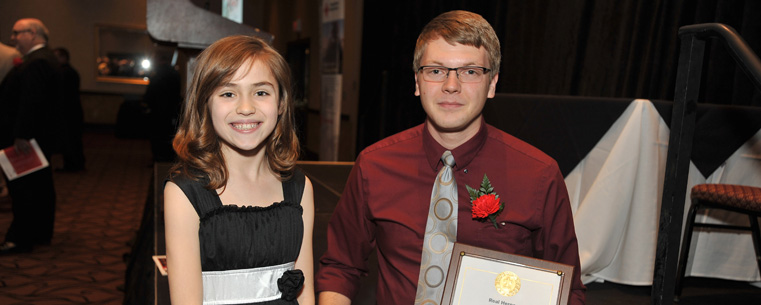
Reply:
x=197 y=144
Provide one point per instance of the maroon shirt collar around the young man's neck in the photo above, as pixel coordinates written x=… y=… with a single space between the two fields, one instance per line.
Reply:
x=462 y=154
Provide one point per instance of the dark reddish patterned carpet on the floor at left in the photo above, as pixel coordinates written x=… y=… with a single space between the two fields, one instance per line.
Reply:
x=98 y=212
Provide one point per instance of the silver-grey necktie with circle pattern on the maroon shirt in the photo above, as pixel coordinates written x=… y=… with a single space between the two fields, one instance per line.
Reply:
x=440 y=235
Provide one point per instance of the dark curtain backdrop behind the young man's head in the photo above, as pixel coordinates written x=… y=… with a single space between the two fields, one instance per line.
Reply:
x=598 y=48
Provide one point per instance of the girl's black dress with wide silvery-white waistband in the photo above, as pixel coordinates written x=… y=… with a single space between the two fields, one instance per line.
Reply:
x=236 y=239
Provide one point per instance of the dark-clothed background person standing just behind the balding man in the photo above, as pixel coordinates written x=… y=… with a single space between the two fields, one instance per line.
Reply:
x=72 y=116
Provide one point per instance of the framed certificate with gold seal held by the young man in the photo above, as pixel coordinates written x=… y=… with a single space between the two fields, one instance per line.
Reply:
x=481 y=276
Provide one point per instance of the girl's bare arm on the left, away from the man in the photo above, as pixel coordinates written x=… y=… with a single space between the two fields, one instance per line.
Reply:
x=182 y=247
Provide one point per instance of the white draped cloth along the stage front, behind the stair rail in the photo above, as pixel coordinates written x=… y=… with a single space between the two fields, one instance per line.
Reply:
x=616 y=192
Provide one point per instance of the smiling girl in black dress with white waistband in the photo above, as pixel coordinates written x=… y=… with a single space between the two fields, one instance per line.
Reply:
x=226 y=241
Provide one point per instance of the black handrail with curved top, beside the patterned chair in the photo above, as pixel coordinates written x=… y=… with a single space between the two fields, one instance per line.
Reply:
x=689 y=69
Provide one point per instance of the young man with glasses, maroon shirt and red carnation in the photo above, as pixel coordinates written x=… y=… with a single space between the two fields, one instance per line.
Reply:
x=387 y=198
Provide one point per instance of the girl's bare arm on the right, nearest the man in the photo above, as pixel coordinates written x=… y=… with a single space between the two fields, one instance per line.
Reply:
x=305 y=261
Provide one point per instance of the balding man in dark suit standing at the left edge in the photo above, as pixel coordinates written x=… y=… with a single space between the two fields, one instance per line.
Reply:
x=29 y=103
